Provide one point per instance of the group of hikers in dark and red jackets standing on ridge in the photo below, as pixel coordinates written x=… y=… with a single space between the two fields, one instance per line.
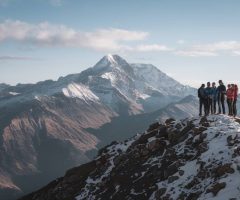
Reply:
x=211 y=96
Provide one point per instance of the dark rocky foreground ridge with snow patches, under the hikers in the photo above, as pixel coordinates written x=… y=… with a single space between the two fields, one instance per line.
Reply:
x=195 y=158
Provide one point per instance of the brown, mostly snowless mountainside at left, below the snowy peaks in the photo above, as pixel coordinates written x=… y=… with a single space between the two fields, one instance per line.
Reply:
x=38 y=135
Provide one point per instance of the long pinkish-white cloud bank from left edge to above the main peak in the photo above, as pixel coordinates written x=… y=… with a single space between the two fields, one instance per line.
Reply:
x=46 y=34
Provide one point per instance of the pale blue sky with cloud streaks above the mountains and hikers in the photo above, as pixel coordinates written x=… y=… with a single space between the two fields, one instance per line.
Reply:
x=193 y=41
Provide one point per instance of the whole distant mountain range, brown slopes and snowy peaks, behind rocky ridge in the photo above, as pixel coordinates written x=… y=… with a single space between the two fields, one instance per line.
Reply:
x=51 y=126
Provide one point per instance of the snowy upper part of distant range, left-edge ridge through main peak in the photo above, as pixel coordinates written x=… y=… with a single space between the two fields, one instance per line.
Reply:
x=142 y=85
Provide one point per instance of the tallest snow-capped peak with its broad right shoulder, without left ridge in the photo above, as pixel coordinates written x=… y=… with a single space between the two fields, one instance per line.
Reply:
x=143 y=86
